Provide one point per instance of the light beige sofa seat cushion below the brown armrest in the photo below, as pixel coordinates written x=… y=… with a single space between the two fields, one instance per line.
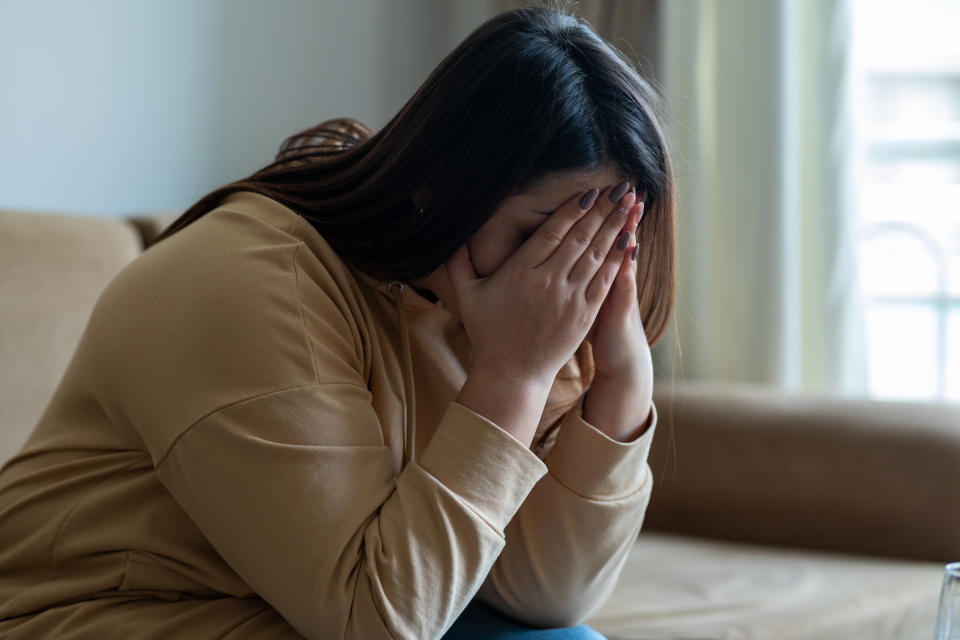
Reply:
x=681 y=587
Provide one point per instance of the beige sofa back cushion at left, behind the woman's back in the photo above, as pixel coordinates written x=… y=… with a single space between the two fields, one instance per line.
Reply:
x=54 y=268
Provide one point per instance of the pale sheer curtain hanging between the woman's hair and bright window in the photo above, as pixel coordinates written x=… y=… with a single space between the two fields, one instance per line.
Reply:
x=758 y=104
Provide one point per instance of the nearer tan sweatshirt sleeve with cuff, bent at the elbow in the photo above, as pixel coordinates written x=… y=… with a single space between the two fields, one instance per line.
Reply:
x=296 y=491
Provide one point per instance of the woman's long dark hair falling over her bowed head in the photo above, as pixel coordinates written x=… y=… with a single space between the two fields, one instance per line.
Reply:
x=530 y=92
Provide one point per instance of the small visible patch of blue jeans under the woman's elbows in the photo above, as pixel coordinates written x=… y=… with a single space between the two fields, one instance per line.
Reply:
x=480 y=621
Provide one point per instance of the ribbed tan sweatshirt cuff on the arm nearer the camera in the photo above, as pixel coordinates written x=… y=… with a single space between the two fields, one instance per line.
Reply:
x=483 y=464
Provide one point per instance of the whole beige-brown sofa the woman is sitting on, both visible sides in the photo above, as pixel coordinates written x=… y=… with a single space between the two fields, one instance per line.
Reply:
x=773 y=515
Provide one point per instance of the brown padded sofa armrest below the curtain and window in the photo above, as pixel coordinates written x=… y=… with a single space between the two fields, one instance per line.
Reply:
x=763 y=465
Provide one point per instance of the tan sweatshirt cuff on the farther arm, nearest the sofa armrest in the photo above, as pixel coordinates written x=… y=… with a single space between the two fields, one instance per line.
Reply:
x=594 y=465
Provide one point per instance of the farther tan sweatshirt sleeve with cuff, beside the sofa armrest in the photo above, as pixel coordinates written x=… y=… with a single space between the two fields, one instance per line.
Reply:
x=569 y=540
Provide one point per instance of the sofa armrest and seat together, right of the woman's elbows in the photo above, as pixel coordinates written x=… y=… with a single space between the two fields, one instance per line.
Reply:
x=806 y=473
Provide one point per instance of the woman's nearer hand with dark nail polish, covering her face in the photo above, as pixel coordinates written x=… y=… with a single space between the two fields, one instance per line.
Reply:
x=527 y=319
